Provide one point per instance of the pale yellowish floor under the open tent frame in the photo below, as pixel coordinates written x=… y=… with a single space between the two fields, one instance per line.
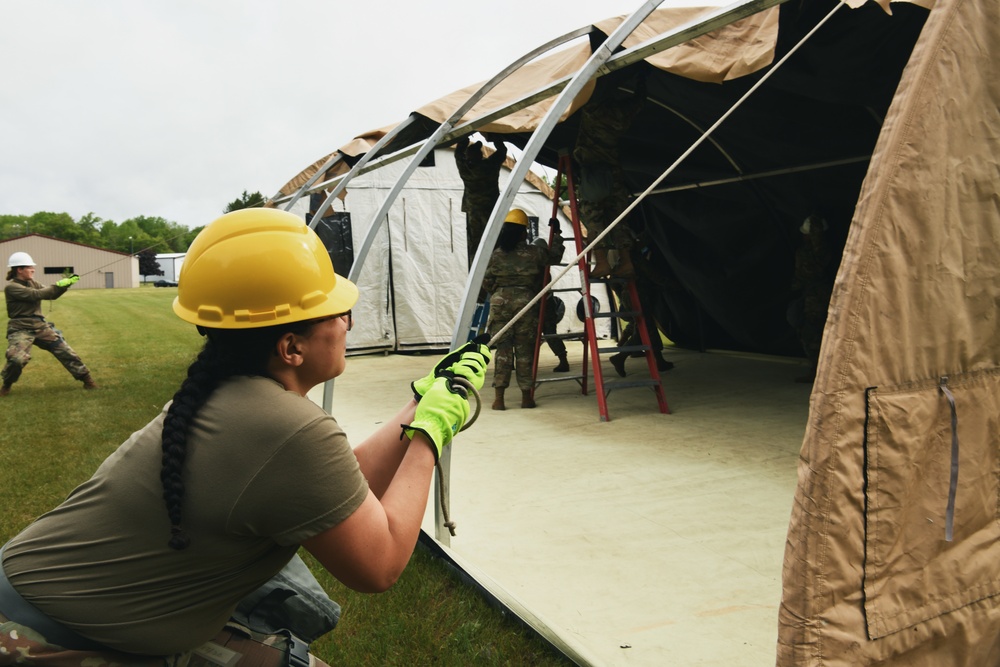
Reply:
x=649 y=539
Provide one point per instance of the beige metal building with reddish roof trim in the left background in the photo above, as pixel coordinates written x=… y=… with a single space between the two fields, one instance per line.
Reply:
x=98 y=268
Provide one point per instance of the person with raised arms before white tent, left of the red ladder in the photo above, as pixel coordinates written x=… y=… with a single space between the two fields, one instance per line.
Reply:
x=480 y=176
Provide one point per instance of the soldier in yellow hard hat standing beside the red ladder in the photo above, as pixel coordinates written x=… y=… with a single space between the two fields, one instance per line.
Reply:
x=513 y=277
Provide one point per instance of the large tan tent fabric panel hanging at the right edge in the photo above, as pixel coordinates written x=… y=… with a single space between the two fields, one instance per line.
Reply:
x=869 y=577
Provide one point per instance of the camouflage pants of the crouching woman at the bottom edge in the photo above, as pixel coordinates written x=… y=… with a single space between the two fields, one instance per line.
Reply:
x=20 y=645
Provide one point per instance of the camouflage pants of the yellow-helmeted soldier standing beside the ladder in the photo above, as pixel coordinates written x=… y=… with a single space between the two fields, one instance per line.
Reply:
x=516 y=348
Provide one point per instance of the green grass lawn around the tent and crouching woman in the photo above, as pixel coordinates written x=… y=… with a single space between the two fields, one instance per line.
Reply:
x=53 y=435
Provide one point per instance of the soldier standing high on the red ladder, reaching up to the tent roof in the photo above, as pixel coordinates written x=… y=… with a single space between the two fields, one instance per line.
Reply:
x=601 y=189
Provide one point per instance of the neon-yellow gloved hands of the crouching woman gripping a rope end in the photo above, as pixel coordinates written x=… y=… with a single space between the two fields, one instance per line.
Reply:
x=443 y=402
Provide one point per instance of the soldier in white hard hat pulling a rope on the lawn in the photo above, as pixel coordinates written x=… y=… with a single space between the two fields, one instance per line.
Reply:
x=27 y=327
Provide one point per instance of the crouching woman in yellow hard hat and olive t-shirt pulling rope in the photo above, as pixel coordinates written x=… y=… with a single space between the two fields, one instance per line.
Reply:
x=149 y=560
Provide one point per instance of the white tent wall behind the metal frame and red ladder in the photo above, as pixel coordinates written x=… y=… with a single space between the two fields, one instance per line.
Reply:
x=414 y=277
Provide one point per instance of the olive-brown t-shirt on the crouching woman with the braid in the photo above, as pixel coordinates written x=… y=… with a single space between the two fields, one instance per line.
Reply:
x=265 y=470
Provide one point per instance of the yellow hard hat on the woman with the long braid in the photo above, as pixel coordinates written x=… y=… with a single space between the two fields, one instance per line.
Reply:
x=258 y=267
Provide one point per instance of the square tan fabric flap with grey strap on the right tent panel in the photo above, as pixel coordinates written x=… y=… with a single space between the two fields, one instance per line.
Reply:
x=912 y=572
